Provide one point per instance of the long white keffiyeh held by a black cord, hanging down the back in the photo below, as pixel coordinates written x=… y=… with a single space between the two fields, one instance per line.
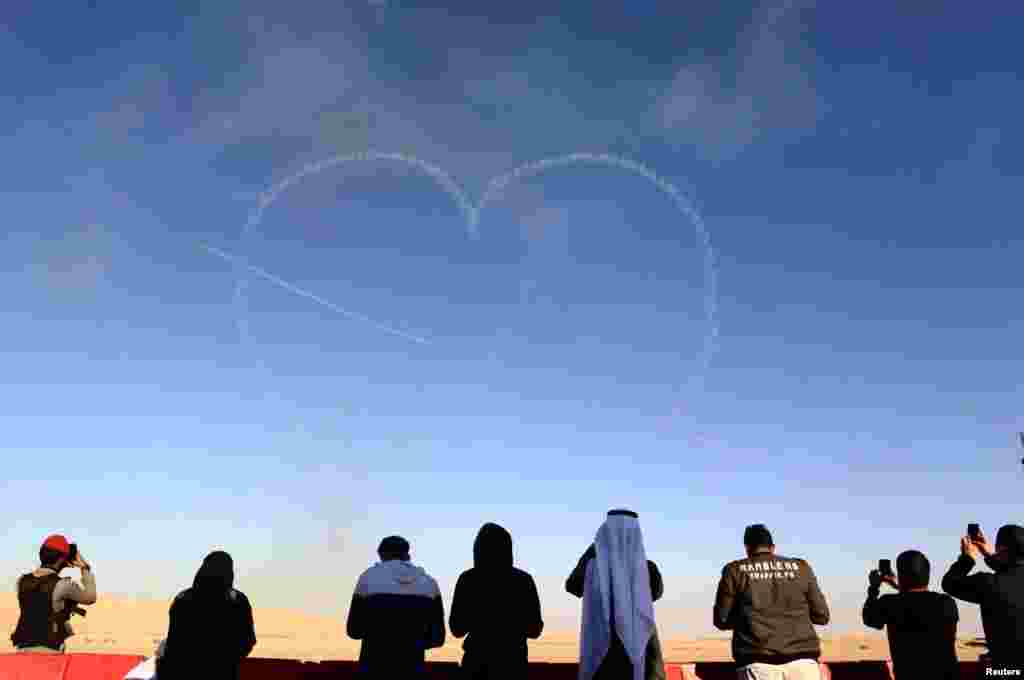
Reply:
x=617 y=589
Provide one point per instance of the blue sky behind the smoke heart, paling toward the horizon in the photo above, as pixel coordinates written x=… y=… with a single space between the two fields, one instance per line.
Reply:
x=855 y=167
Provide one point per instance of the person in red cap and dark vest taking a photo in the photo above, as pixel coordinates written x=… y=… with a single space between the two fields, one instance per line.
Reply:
x=48 y=602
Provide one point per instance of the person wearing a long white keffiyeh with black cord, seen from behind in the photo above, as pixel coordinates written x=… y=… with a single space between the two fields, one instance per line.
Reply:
x=619 y=586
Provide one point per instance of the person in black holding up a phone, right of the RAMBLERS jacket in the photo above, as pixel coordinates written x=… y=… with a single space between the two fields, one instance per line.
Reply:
x=921 y=624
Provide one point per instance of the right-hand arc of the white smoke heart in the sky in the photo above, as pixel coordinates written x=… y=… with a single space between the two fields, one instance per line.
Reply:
x=498 y=185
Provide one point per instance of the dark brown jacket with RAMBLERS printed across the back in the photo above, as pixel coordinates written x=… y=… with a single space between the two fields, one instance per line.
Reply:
x=772 y=605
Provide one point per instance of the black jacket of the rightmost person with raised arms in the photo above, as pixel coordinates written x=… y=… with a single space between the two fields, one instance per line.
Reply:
x=1002 y=599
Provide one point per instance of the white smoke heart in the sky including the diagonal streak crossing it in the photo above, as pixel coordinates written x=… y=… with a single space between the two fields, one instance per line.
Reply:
x=473 y=216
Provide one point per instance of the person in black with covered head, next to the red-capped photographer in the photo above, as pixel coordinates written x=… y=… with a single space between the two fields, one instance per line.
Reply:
x=211 y=626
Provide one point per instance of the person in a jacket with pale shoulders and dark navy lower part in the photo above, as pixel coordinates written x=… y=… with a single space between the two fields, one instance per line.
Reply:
x=398 y=613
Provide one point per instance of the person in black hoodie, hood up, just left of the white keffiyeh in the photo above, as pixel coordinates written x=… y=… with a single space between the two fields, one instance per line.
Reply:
x=497 y=606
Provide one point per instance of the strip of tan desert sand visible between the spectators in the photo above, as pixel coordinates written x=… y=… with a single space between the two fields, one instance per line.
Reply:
x=137 y=627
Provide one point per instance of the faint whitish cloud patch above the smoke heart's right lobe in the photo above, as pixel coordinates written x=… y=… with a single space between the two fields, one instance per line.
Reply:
x=723 y=106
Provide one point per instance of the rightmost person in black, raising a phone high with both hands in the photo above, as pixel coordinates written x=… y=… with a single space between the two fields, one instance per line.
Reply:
x=1001 y=593
